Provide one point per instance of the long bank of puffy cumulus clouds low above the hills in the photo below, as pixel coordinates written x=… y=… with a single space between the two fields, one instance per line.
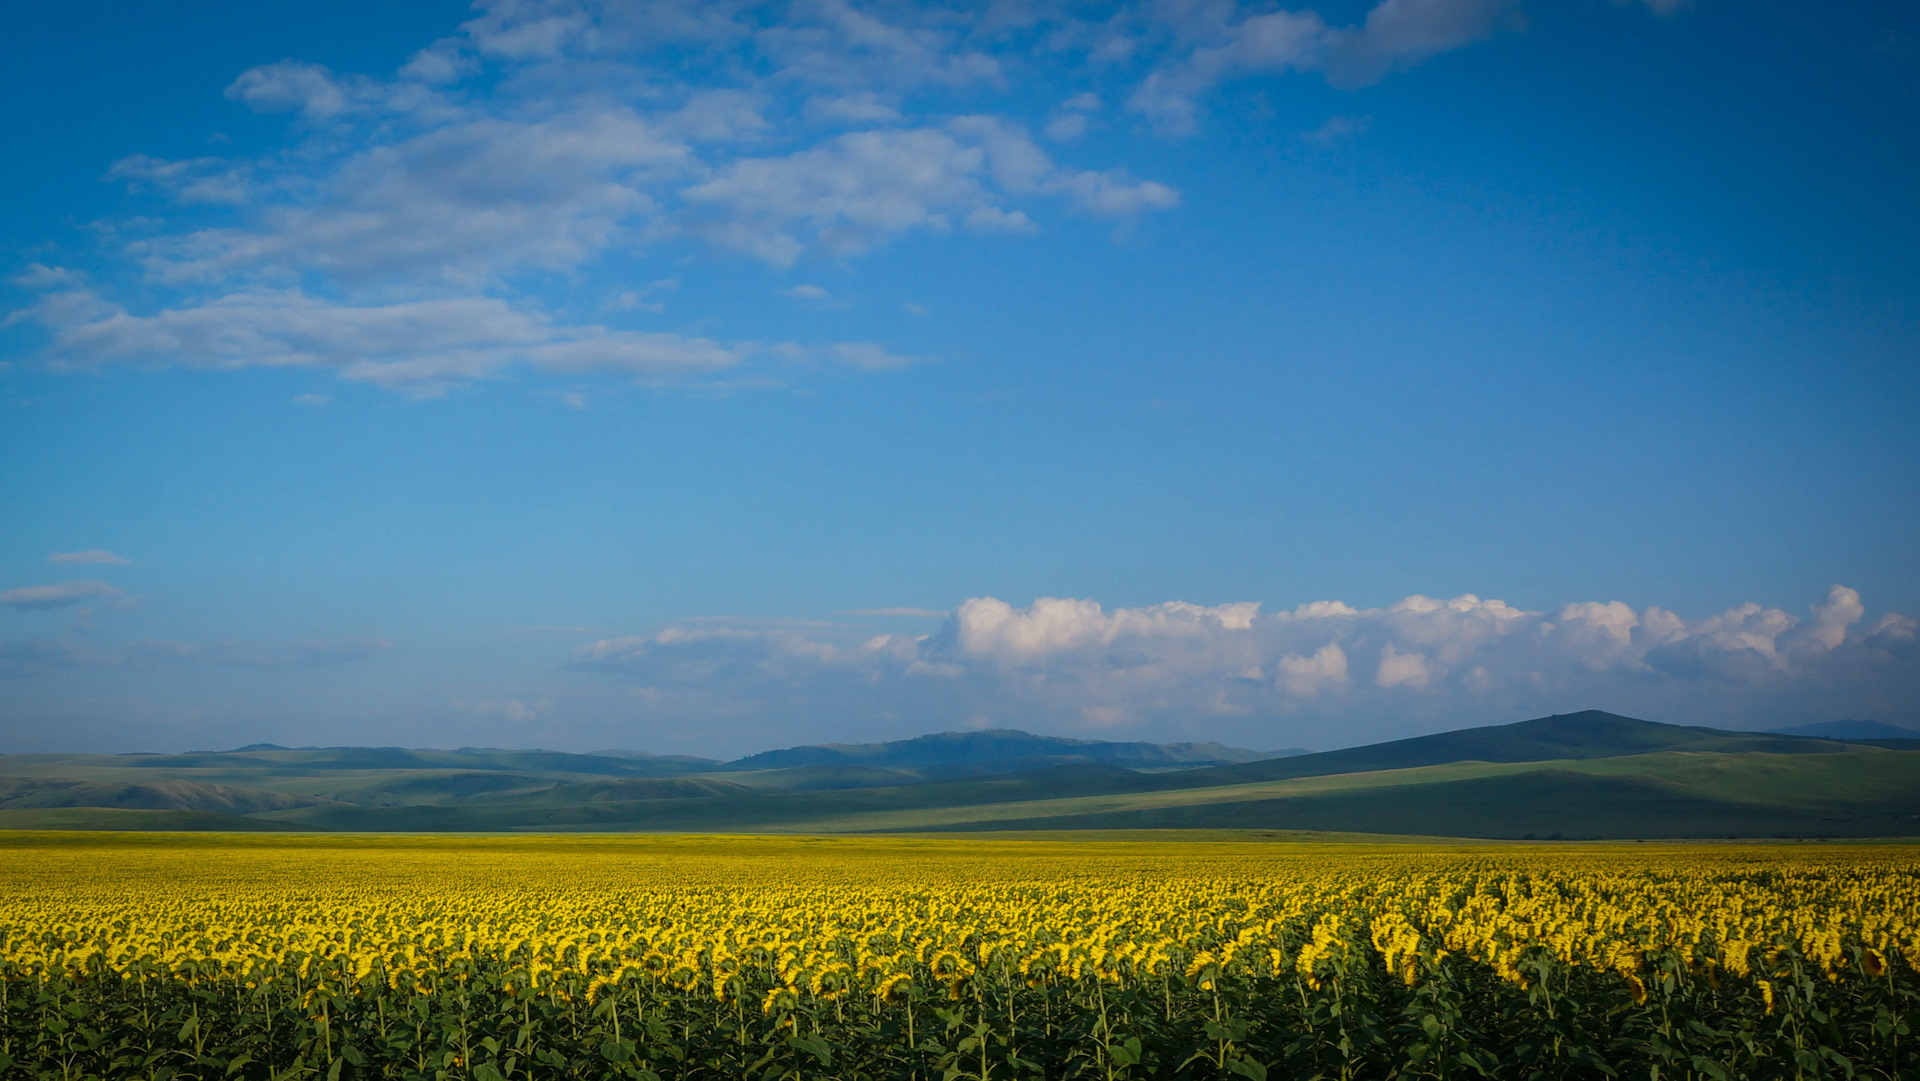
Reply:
x=1320 y=673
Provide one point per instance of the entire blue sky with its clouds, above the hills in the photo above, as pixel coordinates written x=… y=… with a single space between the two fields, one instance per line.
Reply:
x=713 y=377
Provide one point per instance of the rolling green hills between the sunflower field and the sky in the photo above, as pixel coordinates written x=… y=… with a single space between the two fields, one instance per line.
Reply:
x=1579 y=777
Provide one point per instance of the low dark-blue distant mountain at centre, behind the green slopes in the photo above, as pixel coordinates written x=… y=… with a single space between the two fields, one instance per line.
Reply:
x=996 y=752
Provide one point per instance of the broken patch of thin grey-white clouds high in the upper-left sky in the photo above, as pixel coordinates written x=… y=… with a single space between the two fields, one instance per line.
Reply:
x=560 y=139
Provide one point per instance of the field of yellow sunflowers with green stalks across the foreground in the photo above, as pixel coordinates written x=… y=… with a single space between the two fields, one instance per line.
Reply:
x=923 y=959
